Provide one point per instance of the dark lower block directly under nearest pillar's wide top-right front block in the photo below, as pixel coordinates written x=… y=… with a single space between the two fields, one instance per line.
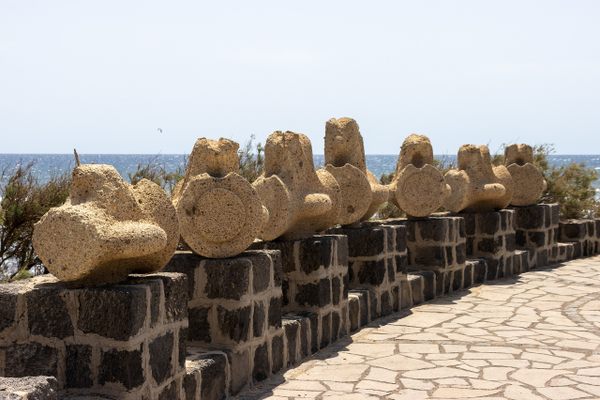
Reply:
x=121 y=366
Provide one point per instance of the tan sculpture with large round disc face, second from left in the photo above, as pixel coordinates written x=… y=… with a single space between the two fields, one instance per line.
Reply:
x=220 y=214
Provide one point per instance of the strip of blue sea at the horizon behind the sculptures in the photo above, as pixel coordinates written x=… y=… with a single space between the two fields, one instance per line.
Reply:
x=46 y=165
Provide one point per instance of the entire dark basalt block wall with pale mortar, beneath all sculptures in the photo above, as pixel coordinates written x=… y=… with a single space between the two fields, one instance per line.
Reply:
x=208 y=328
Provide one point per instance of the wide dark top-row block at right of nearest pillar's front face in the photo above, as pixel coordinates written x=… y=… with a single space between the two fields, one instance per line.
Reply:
x=117 y=312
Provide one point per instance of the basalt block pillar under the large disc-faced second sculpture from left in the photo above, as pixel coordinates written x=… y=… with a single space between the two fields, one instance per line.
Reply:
x=235 y=305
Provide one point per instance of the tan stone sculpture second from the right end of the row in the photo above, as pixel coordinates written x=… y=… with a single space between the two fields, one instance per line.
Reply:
x=477 y=185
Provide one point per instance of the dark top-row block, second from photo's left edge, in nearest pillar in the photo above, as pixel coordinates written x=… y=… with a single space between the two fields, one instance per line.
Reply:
x=47 y=313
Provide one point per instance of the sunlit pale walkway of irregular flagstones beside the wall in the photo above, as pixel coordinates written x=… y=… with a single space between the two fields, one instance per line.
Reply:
x=533 y=337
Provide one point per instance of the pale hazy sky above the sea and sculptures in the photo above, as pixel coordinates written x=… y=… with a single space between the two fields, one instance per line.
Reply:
x=102 y=76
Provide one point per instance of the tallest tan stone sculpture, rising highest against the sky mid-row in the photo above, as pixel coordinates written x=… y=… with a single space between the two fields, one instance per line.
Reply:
x=362 y=194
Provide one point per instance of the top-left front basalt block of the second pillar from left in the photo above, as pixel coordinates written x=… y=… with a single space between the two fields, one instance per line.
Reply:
x=227 y=279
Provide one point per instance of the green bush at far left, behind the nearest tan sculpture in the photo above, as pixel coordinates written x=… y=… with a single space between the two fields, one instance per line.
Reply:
x=24 y=202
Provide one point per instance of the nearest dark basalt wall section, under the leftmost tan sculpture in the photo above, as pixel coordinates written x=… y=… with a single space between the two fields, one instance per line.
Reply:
x=125 y=341
